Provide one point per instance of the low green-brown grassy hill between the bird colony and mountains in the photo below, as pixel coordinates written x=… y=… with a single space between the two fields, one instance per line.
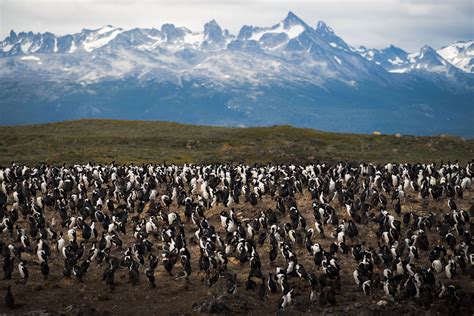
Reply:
x=144 y=141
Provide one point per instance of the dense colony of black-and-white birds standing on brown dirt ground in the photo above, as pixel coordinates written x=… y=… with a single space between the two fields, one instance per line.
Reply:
x=141 y=218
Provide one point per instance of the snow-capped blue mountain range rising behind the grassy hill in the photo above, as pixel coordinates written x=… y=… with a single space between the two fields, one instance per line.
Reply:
x=289 y=72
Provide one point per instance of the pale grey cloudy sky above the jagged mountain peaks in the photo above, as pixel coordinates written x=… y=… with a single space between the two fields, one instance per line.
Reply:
x=409 y=24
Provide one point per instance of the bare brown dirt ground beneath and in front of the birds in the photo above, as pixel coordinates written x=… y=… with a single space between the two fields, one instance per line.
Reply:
x=60 y=295
